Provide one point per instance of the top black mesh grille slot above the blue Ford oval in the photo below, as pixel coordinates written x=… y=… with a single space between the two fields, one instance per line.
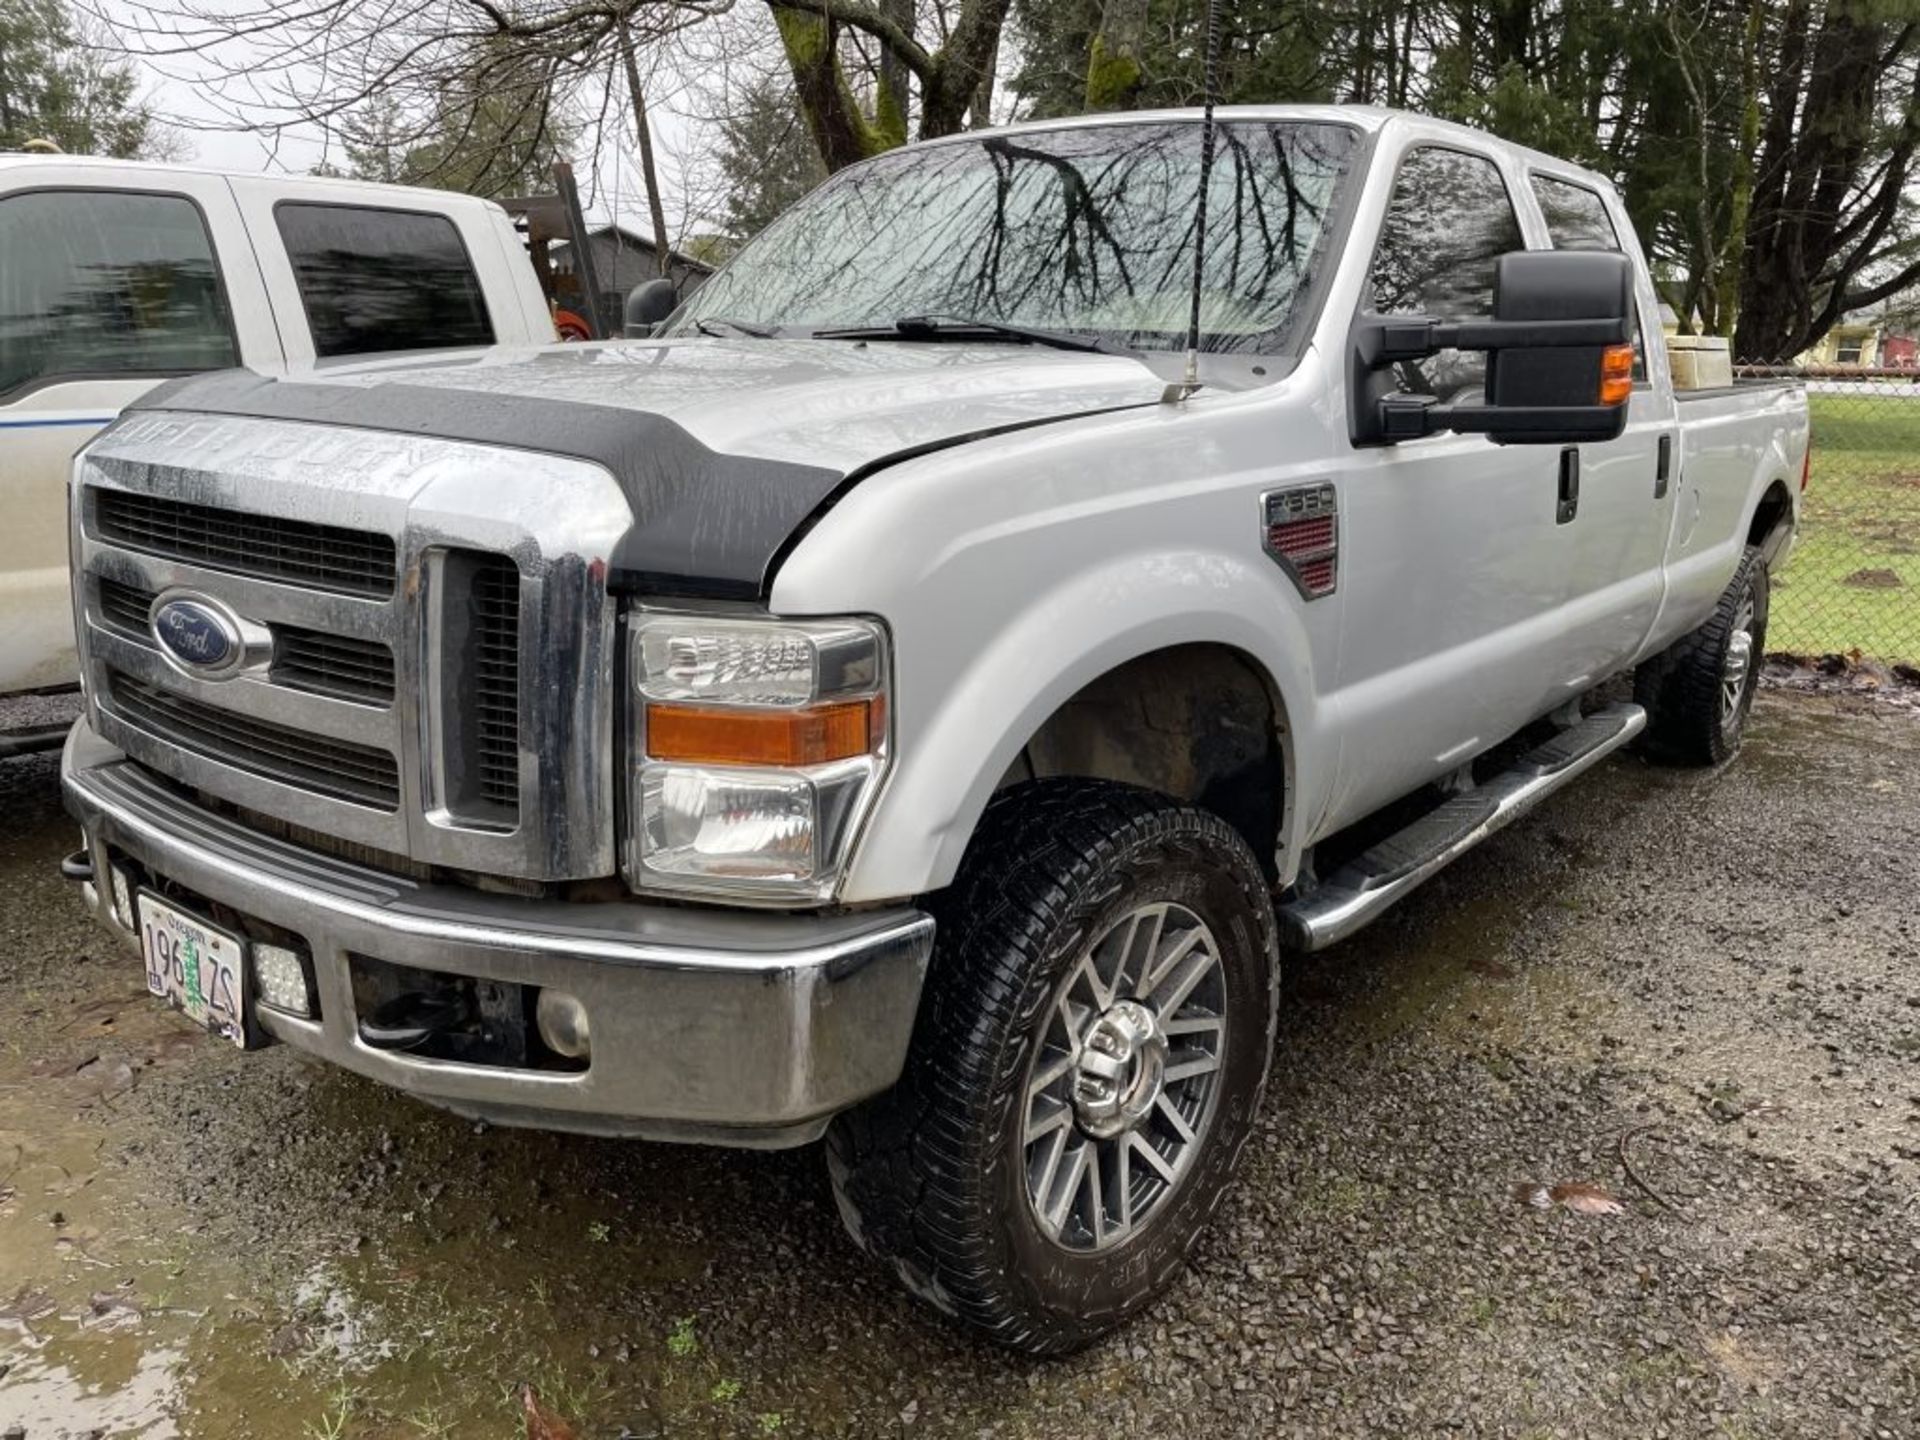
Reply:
x=297 y=552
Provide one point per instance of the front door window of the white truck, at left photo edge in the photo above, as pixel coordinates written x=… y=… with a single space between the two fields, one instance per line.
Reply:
x=103 y=283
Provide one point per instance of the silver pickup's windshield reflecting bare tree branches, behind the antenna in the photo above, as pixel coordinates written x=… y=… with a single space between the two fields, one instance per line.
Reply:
x=1088 y=231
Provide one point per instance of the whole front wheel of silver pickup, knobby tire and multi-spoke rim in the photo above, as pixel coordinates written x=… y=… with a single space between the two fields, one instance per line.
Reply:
x=1086 y=1070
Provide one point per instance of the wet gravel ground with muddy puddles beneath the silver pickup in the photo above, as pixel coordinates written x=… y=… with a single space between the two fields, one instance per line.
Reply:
x=1712 y=976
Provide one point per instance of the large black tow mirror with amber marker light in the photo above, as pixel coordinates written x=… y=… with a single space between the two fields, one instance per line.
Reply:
x=1558 y=360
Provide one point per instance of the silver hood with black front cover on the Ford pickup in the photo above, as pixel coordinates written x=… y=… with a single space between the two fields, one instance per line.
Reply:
x=725 y=448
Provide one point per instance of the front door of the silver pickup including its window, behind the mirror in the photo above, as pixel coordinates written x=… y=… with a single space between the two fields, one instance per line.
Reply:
x=1456 y=552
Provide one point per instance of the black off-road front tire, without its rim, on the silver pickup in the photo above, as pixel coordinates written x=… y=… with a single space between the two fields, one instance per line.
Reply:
x=932 y=1180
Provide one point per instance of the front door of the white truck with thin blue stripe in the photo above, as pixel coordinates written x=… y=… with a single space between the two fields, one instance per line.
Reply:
x=112 y=281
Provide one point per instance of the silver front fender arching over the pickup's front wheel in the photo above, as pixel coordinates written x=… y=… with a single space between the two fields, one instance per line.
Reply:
x=1019 y=569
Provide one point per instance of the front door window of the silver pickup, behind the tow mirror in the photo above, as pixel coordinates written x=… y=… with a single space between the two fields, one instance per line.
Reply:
x=1449 y=222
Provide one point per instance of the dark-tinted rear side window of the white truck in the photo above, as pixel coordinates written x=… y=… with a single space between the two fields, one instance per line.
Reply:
x=383 y=279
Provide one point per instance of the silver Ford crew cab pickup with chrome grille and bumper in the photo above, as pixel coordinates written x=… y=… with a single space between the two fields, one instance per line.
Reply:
x=903 y=702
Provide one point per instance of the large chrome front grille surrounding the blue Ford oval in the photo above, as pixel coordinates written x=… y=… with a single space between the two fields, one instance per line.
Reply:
x=443 y=683
